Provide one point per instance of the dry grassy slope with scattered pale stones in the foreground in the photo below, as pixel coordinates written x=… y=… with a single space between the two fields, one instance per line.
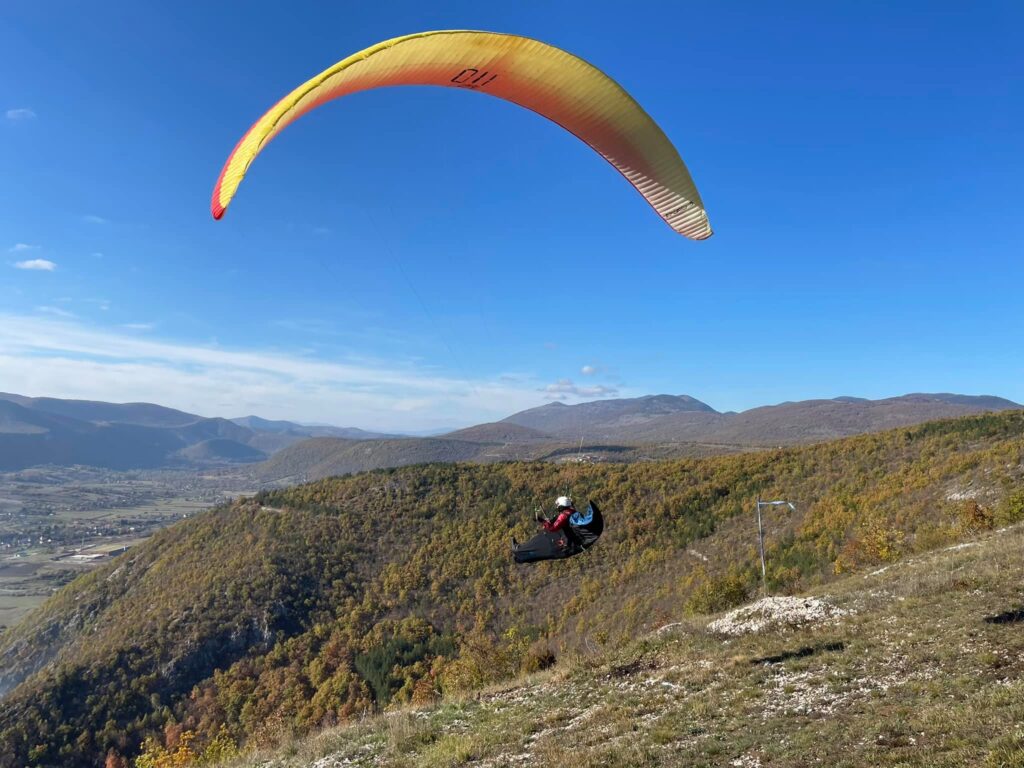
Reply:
x=927 y=670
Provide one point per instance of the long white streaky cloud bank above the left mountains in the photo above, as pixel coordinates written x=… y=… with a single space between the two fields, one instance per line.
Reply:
x=66 y=359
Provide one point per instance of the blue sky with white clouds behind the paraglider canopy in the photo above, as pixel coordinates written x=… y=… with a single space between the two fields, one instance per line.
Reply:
x=416 y=259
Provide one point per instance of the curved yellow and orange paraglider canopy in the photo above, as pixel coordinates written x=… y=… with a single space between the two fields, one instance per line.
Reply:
x=551 y=82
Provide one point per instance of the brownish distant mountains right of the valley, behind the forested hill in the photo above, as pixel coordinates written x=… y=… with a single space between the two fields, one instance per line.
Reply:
x=624 y=431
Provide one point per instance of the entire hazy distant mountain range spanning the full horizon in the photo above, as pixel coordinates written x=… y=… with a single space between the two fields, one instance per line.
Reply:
x=47 y=431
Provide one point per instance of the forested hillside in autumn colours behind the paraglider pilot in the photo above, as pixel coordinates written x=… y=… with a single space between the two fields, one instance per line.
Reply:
x=308 y=607
